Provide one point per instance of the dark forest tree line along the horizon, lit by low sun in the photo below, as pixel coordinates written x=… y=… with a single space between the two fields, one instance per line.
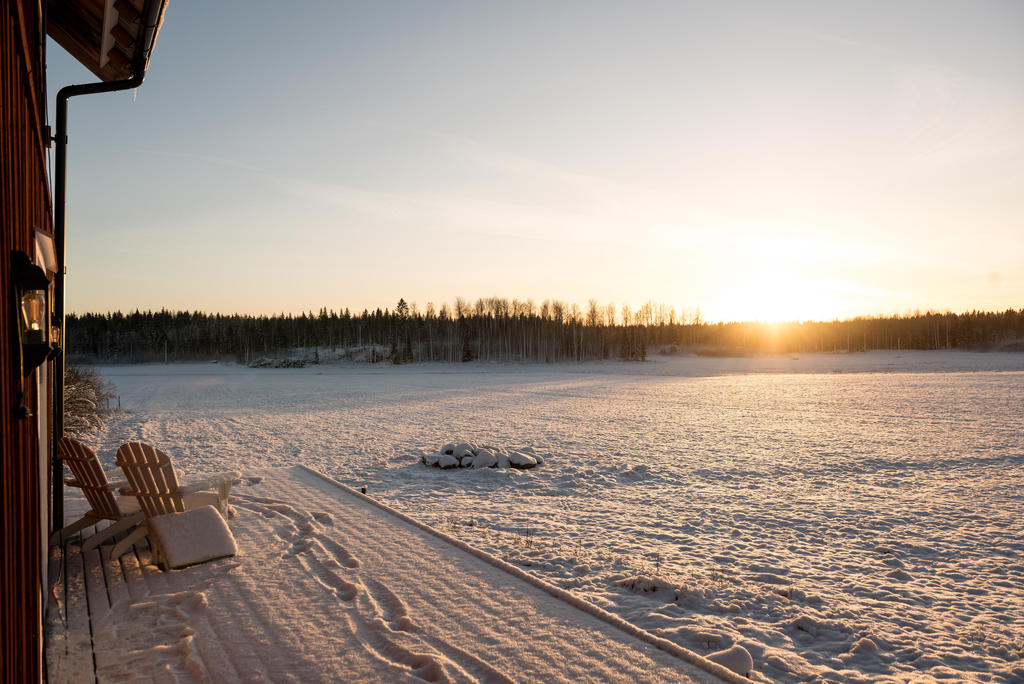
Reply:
x=497 y=329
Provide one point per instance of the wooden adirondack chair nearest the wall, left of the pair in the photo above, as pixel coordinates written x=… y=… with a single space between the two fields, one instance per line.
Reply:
x=89 y=476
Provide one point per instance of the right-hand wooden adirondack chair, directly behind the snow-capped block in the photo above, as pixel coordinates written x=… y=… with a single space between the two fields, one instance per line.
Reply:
x=153 y=482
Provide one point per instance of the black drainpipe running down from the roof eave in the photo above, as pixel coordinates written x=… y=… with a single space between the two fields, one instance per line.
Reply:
x=150 y=18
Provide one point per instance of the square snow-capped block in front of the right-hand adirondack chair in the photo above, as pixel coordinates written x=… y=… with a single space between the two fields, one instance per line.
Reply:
x=194 y=537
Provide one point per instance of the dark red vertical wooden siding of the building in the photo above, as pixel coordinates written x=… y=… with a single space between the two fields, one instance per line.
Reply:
x=25 y=205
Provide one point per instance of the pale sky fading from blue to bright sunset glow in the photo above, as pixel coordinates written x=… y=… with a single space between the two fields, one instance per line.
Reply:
x=755 y=160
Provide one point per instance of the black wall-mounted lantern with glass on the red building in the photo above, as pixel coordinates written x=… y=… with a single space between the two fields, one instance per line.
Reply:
x=32 y=308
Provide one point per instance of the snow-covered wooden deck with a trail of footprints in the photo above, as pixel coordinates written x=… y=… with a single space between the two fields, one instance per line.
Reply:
x=330 y=586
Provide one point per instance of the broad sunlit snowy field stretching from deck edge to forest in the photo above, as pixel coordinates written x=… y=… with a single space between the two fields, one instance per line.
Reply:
x=841 y=517
